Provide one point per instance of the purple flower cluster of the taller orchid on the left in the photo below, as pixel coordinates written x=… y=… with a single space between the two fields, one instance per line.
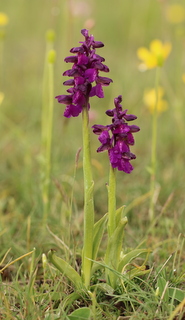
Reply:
x=84 y=72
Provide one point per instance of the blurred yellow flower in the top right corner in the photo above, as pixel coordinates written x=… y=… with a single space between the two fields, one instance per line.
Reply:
x=175 y=13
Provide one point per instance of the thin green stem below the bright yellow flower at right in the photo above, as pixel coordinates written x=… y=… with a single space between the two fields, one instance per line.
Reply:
x=154 y=148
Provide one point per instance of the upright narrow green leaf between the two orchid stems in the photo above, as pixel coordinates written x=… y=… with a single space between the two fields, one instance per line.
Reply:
x=98 y=233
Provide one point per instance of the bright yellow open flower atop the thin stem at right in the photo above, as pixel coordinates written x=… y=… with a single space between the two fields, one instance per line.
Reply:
x=154 y=57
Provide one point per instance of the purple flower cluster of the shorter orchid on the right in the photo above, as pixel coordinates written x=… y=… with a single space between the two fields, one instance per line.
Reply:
x=121 y=138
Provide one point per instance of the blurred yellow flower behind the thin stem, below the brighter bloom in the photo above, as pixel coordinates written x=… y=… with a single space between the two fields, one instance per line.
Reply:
x=150 y=100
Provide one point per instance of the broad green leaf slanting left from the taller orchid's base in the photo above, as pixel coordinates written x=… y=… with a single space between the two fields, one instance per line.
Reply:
x=66 y=269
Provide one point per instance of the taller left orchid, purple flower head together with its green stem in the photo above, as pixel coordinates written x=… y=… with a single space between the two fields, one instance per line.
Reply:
x=85 y=82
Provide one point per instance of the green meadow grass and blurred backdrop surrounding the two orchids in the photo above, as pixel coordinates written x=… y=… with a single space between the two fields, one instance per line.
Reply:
x=30 y=287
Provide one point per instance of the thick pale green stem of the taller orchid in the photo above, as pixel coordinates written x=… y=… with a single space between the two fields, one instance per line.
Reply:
x=88 y=201
